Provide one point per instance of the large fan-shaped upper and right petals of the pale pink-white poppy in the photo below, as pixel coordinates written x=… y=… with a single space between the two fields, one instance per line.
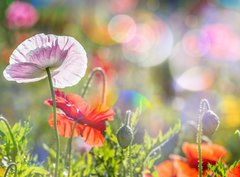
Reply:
x=64 y=55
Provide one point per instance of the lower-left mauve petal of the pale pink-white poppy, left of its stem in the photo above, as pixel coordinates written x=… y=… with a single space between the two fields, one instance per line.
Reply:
x=24 y=72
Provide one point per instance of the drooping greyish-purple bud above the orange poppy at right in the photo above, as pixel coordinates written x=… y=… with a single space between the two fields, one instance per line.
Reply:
x=210 y=122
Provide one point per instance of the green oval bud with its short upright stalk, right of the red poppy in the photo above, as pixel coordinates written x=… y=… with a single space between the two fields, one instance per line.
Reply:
x=125 y=133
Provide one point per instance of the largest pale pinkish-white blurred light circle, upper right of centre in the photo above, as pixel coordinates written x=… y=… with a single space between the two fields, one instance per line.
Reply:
x=151 y=44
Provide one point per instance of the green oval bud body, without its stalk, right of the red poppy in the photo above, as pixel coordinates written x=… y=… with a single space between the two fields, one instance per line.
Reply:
x=124 y=136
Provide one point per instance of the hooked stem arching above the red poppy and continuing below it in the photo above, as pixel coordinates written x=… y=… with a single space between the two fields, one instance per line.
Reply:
x=94 y=71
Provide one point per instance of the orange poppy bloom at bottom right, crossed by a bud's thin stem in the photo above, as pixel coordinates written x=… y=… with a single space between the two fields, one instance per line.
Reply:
x=181 y=167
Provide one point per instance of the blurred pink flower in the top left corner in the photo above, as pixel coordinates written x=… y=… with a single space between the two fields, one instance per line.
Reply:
x=21 y=15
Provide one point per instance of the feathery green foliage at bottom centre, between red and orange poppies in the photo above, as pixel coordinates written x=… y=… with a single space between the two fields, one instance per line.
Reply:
x=112 y=160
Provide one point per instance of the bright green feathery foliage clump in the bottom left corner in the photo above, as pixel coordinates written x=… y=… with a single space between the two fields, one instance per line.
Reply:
x=26 y=163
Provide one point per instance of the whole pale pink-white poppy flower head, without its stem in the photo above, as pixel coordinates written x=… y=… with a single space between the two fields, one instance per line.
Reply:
x=63 y=55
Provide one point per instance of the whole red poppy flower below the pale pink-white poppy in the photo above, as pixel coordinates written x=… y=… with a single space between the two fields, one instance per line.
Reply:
x=90 y=120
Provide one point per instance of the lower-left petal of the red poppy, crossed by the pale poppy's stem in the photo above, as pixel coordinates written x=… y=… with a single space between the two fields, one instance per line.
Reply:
x=65 y=126
